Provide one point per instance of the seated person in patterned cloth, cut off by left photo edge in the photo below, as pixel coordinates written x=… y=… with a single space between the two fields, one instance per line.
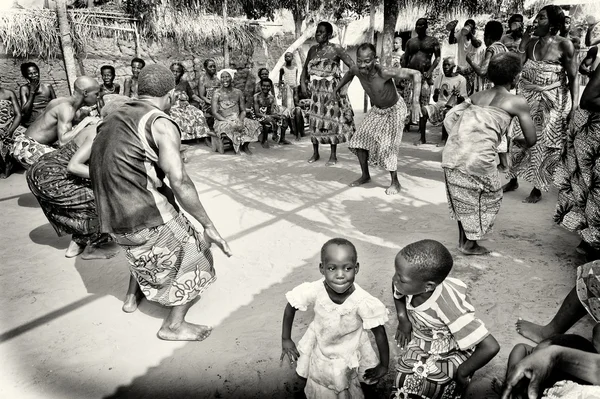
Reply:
x=10 y=117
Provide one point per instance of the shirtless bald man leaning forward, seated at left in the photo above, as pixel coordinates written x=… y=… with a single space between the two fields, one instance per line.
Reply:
x=55 y=124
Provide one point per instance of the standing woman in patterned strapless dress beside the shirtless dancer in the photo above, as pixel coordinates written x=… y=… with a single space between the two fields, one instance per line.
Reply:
x=331 y=119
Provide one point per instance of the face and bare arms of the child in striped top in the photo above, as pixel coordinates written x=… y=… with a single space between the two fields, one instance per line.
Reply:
x=408 y=280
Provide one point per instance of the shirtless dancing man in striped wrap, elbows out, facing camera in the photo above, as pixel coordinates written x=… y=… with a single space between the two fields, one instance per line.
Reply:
x=377 y=140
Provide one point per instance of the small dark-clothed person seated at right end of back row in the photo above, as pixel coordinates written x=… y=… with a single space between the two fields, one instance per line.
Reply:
x=266 y=112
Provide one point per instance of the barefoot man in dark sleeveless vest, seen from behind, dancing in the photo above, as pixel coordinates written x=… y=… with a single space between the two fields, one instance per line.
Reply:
x=170 y=261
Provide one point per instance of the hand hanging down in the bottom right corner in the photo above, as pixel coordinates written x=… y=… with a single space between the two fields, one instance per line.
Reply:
x=536 y=367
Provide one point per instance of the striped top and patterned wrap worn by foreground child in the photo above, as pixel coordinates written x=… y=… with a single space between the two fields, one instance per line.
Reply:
x=445 y=333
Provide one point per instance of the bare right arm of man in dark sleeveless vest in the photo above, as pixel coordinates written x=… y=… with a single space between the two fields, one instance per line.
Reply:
x=167 y=138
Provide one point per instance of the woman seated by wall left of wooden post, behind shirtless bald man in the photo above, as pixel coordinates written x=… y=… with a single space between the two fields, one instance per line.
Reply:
x=35 y=95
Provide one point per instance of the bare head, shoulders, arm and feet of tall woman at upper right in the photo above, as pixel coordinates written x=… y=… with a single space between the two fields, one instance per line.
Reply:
x=547 y=45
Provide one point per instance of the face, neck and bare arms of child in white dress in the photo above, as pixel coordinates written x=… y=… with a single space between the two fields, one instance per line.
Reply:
x=339 y=267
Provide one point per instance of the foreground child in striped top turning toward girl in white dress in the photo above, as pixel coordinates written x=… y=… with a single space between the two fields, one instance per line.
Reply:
x=445 y=343
